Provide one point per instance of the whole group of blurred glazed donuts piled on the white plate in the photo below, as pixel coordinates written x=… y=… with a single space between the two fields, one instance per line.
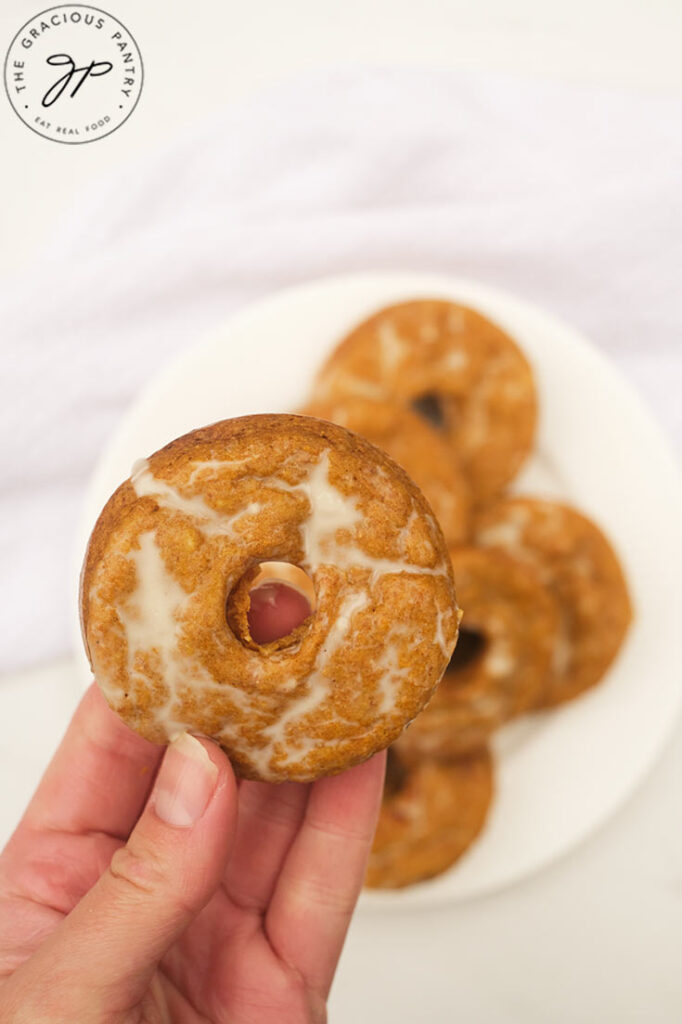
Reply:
x=452 y=399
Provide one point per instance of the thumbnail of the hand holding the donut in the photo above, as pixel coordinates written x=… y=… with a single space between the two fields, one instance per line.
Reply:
x=186 y=783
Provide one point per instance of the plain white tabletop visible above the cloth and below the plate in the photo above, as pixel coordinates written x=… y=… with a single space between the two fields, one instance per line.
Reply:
x=598 y=937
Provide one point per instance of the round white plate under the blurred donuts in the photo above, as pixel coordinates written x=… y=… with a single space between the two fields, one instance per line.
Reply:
x=560 y=775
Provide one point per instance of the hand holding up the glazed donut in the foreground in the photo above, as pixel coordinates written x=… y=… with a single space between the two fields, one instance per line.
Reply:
x=200 y=899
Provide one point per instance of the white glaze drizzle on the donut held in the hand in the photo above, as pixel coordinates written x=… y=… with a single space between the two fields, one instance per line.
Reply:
x=152 y=617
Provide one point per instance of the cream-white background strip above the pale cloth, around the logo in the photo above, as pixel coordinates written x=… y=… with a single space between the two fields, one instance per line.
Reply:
x=202 y=55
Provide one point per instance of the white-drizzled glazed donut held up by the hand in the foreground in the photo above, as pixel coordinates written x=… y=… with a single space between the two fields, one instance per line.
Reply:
x=182 y=541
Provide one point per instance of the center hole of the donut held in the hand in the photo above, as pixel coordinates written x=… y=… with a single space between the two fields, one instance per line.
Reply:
x=271 y=604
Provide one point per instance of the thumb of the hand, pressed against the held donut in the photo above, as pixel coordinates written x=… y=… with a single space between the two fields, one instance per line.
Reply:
x=106 y=952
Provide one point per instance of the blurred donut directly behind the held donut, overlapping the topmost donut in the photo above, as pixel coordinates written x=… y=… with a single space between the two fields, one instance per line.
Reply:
x=415 y=446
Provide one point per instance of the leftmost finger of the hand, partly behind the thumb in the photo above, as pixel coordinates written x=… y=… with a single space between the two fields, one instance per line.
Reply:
x=100 y=778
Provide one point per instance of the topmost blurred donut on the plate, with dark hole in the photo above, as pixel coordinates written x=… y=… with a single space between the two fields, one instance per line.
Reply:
x=458 y=370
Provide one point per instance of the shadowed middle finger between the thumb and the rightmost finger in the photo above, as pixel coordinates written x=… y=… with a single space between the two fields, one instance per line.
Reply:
x=269 y=820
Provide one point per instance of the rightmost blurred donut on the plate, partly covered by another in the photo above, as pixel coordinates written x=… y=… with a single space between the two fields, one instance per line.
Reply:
x=578 y=565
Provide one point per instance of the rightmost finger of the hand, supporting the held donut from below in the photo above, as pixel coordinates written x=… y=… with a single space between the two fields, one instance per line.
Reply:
x=321 y=880
